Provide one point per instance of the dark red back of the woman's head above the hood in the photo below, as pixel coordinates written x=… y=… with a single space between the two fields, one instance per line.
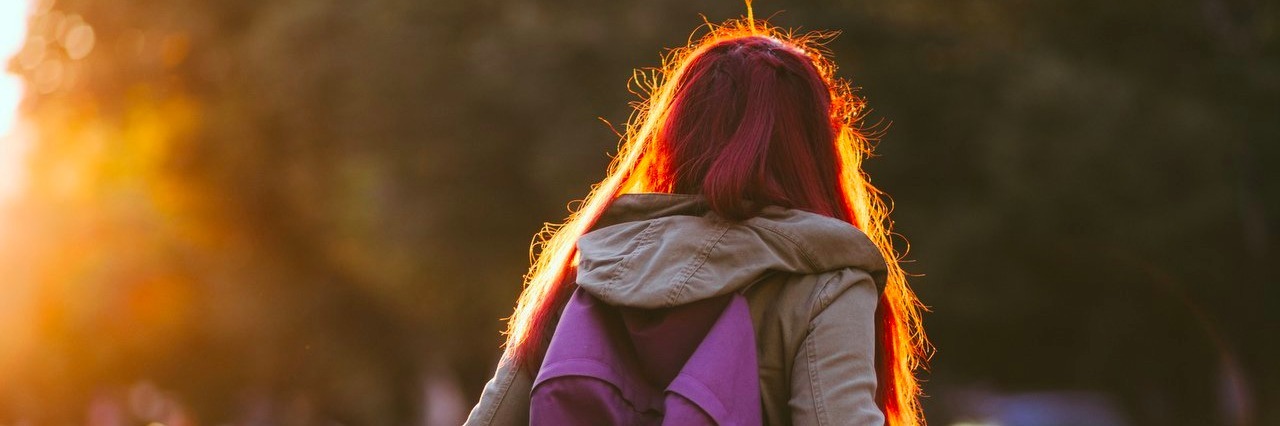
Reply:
x=748 y=123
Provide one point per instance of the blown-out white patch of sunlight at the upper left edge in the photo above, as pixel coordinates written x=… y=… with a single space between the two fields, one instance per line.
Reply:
x=13 y=31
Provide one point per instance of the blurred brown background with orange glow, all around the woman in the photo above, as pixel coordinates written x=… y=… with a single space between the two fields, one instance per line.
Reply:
x=317 y=213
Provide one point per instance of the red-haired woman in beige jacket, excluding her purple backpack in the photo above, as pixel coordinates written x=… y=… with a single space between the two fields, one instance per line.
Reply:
x=749 y=143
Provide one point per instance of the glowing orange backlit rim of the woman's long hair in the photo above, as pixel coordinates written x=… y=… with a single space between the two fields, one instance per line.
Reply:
x=637 y=168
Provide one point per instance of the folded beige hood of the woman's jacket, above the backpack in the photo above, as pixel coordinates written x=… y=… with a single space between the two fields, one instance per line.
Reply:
x=661 y=250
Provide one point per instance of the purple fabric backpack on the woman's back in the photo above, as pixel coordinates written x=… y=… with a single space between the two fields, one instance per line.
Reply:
x=592 y=374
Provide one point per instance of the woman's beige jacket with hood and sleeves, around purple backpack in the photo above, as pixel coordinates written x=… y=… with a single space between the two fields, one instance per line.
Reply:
x=812 y=283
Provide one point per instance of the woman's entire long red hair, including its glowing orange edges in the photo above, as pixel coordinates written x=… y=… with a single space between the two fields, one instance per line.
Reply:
x=746 y=116
